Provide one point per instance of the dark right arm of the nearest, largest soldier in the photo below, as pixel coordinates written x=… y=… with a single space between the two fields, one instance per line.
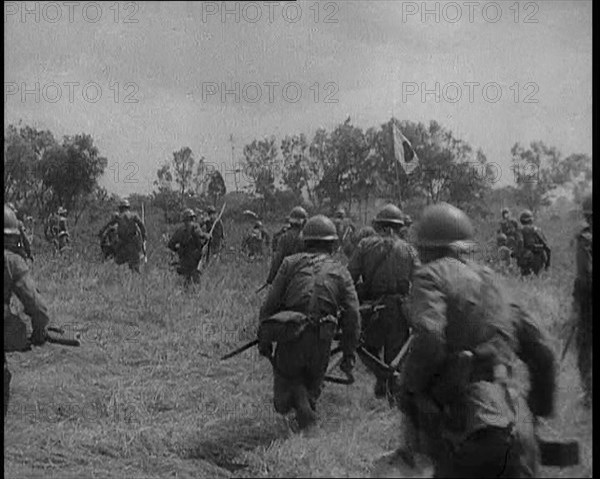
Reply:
x=534 y=349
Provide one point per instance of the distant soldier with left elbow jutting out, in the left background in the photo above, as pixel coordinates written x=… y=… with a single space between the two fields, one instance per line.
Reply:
x=131 y=234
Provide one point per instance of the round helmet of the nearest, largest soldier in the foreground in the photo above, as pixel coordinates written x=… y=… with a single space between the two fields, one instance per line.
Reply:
x=444 y=225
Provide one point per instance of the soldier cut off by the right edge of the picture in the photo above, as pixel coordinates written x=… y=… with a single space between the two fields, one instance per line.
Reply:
x=582 y=302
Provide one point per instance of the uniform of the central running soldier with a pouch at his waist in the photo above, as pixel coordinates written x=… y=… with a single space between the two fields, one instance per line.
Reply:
x=319 y=286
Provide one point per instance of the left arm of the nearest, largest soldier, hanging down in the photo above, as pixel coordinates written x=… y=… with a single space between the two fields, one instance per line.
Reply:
x=428 y=320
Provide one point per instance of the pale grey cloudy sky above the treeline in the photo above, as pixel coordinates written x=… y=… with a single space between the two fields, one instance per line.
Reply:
x=155 y=73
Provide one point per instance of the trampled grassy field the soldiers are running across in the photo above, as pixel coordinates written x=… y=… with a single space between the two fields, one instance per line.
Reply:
x=146 y=396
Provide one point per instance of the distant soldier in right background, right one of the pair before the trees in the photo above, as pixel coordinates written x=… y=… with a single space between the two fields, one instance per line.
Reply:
x=534 y=250
